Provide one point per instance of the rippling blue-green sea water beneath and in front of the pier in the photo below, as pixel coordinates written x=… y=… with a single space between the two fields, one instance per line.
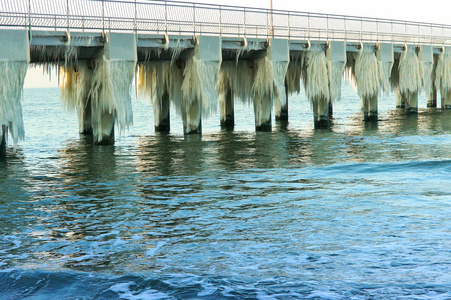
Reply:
x=360 y=211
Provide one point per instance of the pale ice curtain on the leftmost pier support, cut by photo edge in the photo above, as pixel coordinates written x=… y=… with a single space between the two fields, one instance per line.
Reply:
x=12 y=74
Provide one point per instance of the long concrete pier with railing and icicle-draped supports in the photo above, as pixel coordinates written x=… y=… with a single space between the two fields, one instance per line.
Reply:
x=200 y=58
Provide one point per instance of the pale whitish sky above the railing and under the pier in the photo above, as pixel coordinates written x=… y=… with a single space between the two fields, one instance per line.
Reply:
x=431 y=11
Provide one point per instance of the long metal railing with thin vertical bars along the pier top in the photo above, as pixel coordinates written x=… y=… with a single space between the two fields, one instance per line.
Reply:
x=172 y=17
